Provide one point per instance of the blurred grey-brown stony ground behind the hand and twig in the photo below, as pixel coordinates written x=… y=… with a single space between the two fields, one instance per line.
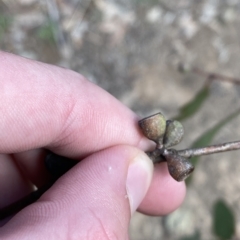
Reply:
x=134 y=50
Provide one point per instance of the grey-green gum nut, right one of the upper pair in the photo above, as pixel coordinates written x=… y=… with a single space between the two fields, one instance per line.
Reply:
x=174 y=133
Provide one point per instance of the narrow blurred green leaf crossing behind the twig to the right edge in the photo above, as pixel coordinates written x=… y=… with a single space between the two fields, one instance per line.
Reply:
x=207 y=137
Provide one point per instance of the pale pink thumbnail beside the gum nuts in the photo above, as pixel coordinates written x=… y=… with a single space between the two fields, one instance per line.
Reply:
x=139 y=177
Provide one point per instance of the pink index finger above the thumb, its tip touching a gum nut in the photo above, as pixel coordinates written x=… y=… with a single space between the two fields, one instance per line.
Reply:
x=51 y=106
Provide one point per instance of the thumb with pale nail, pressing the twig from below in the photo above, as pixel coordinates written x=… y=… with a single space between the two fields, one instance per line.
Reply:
x=94 y=200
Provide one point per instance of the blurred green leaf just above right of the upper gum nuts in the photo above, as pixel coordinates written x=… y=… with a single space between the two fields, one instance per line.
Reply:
x=194 y=105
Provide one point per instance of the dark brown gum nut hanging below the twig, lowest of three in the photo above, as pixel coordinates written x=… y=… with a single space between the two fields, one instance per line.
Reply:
x=179 y=167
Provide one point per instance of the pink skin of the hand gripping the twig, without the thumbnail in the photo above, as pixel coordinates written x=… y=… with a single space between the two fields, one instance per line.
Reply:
x=47 y=107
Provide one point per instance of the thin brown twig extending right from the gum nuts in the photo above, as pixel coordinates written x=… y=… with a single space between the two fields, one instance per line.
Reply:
x=210 y=149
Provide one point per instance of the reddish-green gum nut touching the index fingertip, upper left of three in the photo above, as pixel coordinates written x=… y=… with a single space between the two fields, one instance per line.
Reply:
x=154 y=127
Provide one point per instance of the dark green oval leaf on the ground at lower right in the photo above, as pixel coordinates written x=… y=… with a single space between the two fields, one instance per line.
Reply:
x=223 y=220
